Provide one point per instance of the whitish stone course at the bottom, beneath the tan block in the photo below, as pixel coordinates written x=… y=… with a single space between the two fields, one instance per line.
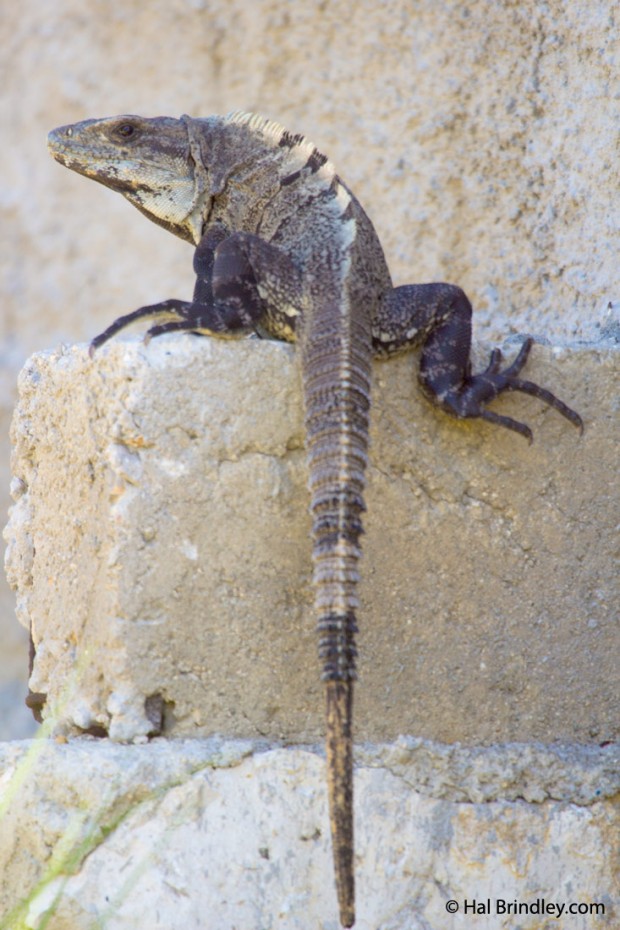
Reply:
x=214 y=836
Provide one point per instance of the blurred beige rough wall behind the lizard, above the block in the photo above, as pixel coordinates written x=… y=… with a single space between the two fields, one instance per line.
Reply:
x=480 y=137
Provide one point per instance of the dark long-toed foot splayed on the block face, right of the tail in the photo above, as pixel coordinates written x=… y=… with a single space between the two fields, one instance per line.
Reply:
x=469 y=399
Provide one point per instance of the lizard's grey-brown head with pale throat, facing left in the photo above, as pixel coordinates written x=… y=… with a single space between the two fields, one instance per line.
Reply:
x=147 y=160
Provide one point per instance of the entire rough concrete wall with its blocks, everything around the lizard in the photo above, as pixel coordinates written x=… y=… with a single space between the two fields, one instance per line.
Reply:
x=480 y=139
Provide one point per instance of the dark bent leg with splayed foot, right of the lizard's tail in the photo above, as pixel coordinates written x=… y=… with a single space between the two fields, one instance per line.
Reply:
x=439 y=317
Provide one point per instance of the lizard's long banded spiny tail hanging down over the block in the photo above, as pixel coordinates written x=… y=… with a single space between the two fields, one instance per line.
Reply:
x=336 y=369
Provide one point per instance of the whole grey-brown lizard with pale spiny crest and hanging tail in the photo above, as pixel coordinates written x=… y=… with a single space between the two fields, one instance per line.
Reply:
x=283 y=249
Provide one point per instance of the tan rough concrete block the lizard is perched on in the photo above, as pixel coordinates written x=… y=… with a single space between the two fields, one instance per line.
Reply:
x=159 y=546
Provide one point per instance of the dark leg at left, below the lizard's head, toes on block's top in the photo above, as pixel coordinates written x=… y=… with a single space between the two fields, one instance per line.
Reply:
x=239 y=278
